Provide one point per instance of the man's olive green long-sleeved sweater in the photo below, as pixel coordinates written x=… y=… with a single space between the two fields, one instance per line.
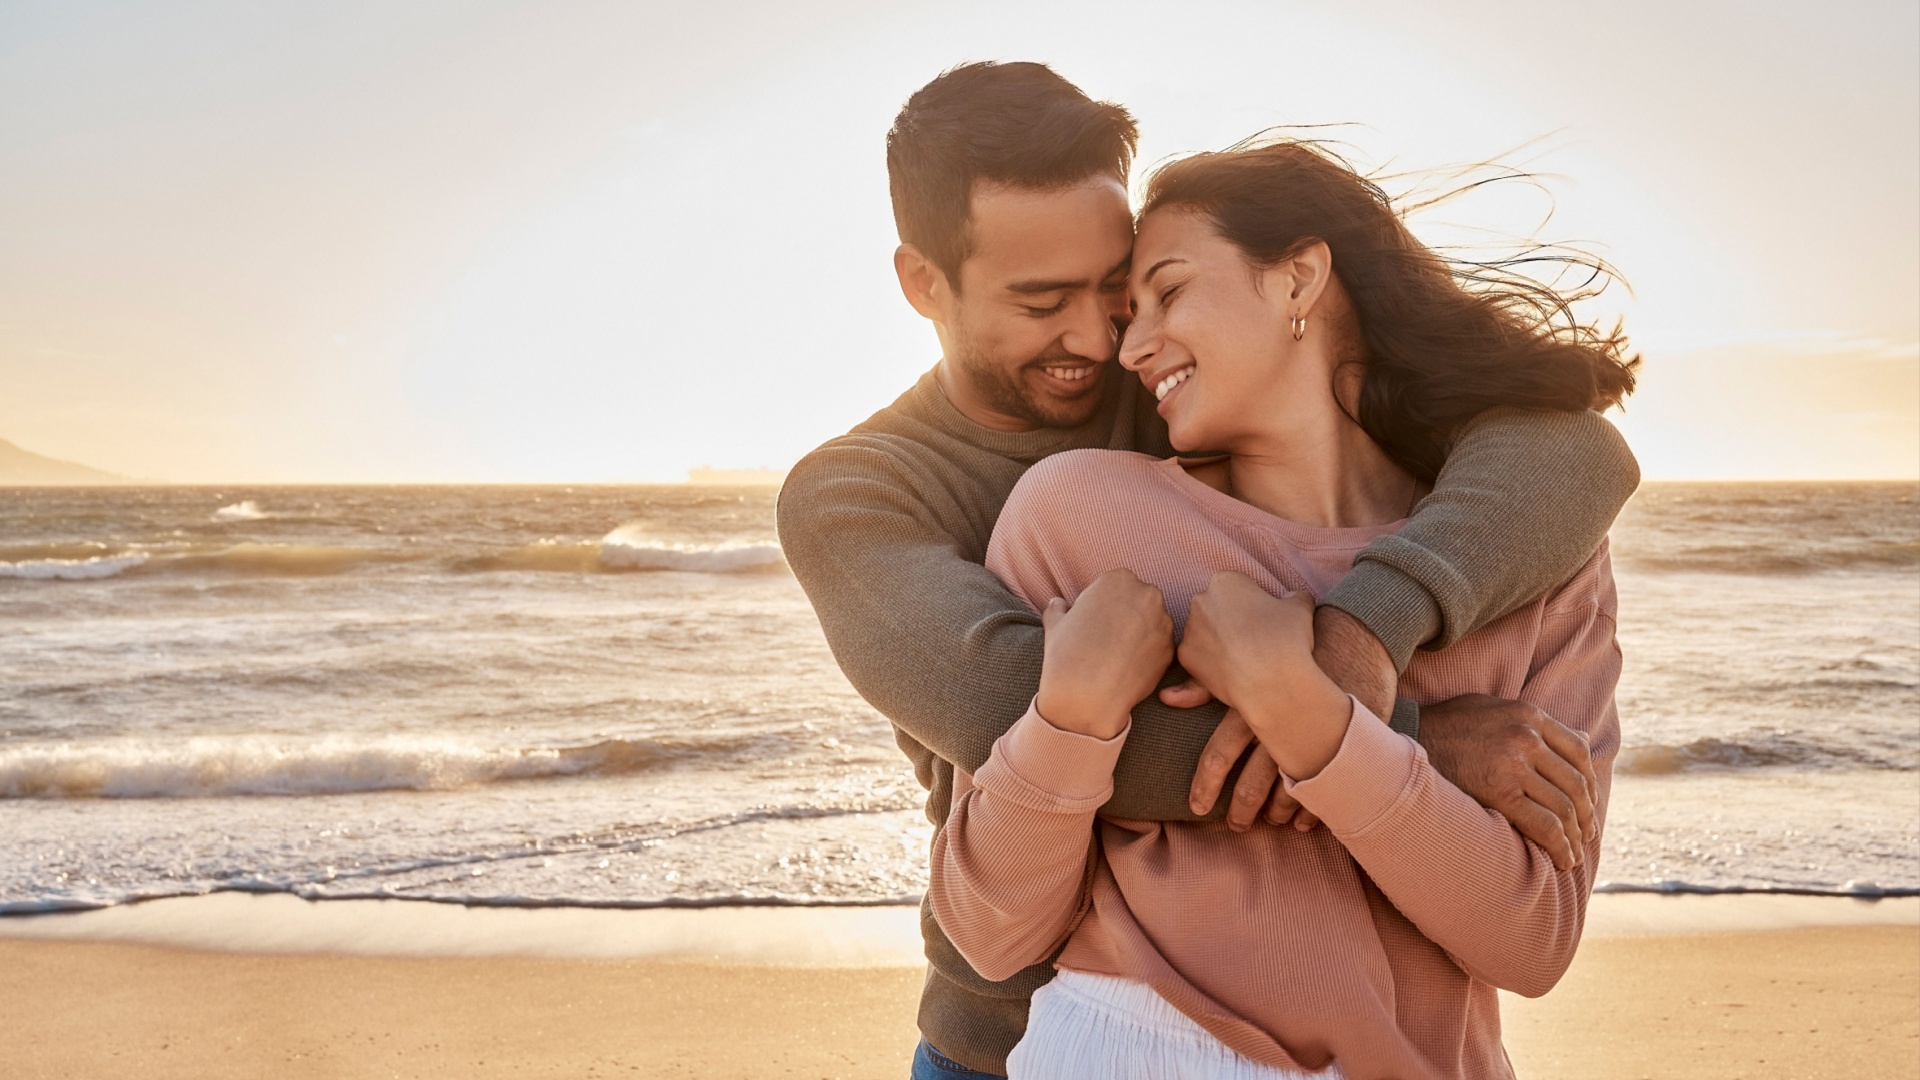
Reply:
x=886 y=529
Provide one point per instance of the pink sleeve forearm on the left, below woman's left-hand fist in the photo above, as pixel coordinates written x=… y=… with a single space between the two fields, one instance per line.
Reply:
x=1013 y=864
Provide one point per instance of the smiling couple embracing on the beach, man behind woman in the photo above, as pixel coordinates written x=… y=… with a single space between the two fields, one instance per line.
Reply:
x=1237 y=585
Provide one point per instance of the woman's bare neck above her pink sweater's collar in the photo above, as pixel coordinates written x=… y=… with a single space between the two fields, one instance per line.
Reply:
x=1326 y=474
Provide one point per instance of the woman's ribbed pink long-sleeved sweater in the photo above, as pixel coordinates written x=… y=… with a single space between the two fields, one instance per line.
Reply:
x=1378 y=941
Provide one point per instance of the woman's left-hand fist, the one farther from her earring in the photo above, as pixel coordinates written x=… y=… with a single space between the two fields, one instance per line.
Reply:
x=1105 y=654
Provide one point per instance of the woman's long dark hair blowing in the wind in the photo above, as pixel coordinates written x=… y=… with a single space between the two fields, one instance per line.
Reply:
x=1443 y=339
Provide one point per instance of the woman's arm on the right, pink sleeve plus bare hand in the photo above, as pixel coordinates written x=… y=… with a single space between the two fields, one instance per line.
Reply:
x=1462 y=873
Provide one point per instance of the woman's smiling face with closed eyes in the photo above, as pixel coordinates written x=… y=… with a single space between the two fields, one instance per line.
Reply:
x=1211 y=337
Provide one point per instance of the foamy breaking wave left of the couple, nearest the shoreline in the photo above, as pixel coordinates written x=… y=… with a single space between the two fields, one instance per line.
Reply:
x=266 y=766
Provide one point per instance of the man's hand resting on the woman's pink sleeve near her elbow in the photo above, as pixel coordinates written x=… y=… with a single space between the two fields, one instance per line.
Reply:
x=1516 y=760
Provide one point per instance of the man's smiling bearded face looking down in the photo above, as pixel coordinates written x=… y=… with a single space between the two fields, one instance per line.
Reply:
x=1042 y=305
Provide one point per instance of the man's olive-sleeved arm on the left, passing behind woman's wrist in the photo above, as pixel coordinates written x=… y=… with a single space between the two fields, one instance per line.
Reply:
x=934 y=641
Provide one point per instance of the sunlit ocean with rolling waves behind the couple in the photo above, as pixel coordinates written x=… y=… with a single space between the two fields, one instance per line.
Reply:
x=621 y=697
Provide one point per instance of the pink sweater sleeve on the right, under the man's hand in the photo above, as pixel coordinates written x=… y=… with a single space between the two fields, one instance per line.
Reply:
x=1460 y=871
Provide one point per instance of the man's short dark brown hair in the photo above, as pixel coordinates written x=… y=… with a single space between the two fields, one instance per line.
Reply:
x=1011 y=124
